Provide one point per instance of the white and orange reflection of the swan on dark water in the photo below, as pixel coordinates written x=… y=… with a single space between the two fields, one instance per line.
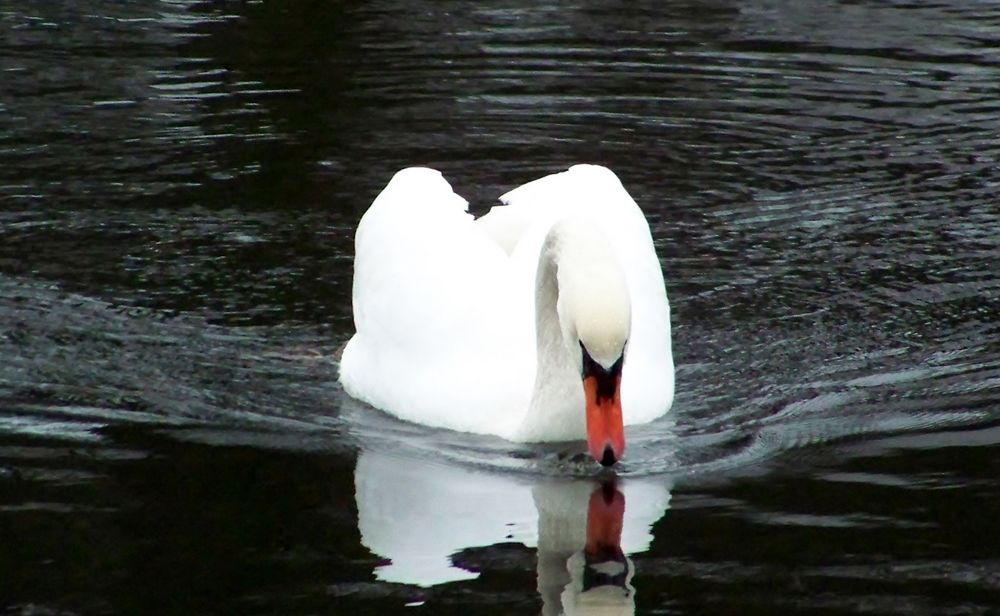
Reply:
x=419 y=513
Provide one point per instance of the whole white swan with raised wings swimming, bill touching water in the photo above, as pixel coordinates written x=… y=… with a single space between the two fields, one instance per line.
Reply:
x=545 y=320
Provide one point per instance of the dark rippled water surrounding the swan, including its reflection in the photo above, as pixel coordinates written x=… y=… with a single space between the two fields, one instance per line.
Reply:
x=179 y=184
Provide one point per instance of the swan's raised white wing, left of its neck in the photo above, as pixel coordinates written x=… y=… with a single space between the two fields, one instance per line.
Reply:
x=431 y=295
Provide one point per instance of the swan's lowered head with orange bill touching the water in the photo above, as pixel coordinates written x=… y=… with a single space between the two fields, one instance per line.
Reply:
x=595 y=315
